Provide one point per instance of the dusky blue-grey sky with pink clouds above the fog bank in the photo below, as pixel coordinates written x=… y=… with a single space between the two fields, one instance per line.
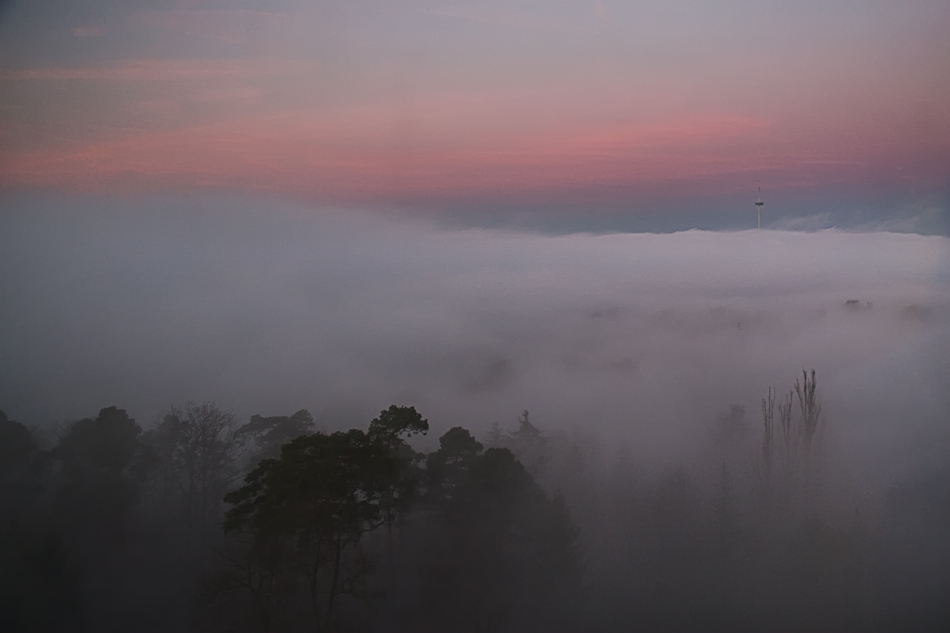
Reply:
x=563 y=115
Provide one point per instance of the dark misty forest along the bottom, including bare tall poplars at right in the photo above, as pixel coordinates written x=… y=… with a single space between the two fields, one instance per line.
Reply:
x=203 y=523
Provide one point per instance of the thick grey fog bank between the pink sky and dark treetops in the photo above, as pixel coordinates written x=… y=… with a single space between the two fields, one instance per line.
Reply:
x=266 y=307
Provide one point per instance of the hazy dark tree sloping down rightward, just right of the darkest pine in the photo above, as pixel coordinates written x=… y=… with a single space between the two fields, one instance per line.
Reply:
x=506 y=554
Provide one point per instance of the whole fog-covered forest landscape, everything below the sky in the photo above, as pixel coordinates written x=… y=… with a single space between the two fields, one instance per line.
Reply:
x=738 y=442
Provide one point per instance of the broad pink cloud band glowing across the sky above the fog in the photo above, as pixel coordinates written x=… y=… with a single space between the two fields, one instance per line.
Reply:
x=440 y=144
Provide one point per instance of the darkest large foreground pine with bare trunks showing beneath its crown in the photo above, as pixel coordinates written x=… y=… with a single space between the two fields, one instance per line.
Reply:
x=315 y=502
